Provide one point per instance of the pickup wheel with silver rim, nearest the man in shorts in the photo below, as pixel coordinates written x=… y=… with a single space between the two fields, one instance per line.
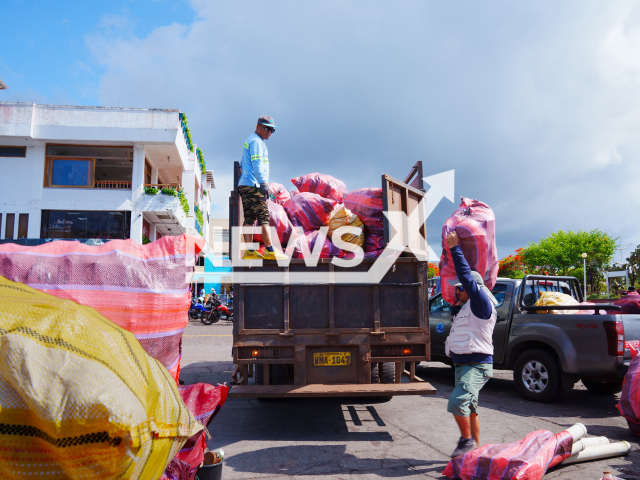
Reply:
x=537 y=375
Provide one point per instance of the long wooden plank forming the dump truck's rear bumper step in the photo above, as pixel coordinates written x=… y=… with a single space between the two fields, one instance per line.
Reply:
x=351 y=390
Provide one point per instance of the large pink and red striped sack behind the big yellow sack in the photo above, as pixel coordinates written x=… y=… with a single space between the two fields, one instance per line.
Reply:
x=141 y=288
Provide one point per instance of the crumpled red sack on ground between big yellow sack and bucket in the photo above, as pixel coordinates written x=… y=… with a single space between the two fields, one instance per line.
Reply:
x=203 y=401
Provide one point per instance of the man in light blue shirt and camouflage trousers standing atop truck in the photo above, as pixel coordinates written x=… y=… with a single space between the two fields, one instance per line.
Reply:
x=253 y=187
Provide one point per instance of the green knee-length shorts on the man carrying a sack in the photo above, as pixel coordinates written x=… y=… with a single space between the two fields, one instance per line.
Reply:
x=470 y=378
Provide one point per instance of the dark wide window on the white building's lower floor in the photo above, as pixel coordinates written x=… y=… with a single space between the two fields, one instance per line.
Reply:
x=85 y=224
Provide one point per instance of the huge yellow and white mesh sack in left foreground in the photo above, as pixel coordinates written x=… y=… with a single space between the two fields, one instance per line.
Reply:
x=79 y=397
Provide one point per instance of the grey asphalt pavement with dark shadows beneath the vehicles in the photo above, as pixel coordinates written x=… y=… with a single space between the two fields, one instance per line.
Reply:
x=407 y=437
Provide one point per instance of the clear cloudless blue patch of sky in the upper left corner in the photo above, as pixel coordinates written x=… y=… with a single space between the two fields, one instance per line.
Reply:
x=45 y=56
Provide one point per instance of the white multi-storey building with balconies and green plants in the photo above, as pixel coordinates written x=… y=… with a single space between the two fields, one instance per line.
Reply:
x=81 y=173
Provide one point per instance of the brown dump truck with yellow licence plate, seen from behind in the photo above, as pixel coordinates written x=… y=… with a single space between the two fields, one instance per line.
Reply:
x=334 y=337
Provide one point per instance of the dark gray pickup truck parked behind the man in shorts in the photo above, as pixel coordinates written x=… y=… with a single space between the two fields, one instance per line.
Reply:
x=549 y=353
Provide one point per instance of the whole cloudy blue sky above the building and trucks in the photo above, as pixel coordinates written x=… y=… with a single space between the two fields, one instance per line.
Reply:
x=534 y=104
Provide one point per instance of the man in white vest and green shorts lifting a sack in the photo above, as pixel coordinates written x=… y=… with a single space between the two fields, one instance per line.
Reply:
x=469 y=345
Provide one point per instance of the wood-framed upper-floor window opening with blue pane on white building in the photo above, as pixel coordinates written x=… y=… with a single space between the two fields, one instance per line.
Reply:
x=89 y=166
